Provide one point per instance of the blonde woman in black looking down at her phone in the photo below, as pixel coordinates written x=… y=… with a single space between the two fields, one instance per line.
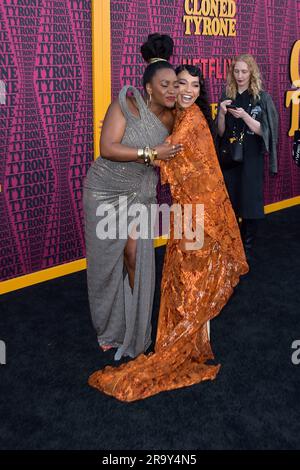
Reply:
x=255 y=115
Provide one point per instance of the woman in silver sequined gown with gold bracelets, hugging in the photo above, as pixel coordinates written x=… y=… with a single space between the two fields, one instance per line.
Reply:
x=121 y=270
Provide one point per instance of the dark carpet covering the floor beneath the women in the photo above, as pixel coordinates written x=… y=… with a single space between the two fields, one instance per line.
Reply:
x=45 y=402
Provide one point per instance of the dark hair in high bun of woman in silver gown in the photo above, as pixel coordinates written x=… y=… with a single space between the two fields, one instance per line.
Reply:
x=156 y=46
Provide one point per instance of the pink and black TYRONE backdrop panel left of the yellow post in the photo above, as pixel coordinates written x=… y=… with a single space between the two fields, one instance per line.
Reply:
x=46 y=131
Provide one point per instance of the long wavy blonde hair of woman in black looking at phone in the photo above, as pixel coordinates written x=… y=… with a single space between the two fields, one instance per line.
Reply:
x=255 y=85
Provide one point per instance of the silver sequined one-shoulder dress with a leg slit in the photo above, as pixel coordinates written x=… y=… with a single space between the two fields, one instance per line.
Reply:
x=122 y=318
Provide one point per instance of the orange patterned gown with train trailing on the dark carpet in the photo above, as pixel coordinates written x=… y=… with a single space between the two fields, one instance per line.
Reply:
x=195 y=284
